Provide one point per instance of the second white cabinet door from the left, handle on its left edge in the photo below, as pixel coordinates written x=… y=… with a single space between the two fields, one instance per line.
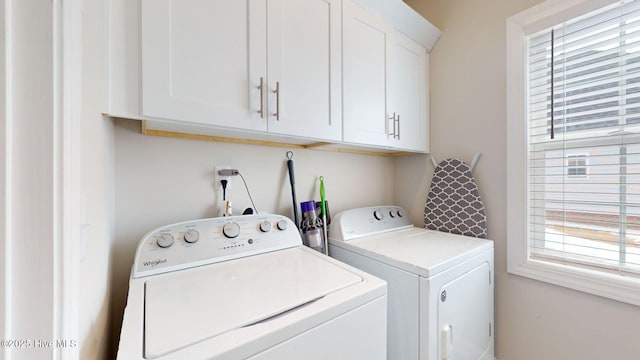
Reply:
x=304 y=64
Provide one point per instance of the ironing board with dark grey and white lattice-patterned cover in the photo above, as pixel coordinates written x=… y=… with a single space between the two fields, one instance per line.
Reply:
x=453 y=202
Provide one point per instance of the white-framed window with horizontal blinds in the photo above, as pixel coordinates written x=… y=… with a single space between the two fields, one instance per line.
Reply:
x=573 y=125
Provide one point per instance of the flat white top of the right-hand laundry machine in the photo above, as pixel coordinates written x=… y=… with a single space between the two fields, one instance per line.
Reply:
x=417 y=250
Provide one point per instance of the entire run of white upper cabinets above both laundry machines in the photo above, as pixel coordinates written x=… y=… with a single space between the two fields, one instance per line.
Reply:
x=345 y=72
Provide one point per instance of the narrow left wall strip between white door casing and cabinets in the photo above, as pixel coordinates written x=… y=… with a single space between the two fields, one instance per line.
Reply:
x=97 y=188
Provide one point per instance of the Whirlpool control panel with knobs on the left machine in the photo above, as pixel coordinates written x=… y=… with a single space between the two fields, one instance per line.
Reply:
x=200 y=242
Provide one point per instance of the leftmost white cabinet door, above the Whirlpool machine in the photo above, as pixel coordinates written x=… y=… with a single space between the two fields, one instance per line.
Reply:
x=202 y=61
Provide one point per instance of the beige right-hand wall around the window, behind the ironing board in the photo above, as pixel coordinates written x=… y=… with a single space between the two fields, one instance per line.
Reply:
x=534 y=320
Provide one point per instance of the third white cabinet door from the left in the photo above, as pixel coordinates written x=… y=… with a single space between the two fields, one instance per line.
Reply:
x=366 y=38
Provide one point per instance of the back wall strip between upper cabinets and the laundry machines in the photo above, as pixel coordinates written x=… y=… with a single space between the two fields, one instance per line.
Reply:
x=163 y=180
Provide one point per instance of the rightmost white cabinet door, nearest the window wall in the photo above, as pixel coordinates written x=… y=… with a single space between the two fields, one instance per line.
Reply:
x=408 y=94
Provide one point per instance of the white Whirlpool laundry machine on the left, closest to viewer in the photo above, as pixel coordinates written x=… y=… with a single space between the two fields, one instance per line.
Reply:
x=244 y=287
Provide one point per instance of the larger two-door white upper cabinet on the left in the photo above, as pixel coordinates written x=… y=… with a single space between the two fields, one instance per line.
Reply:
x=207 y=62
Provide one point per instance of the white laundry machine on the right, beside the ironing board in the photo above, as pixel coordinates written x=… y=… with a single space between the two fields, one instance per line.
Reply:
x=440 y=285
